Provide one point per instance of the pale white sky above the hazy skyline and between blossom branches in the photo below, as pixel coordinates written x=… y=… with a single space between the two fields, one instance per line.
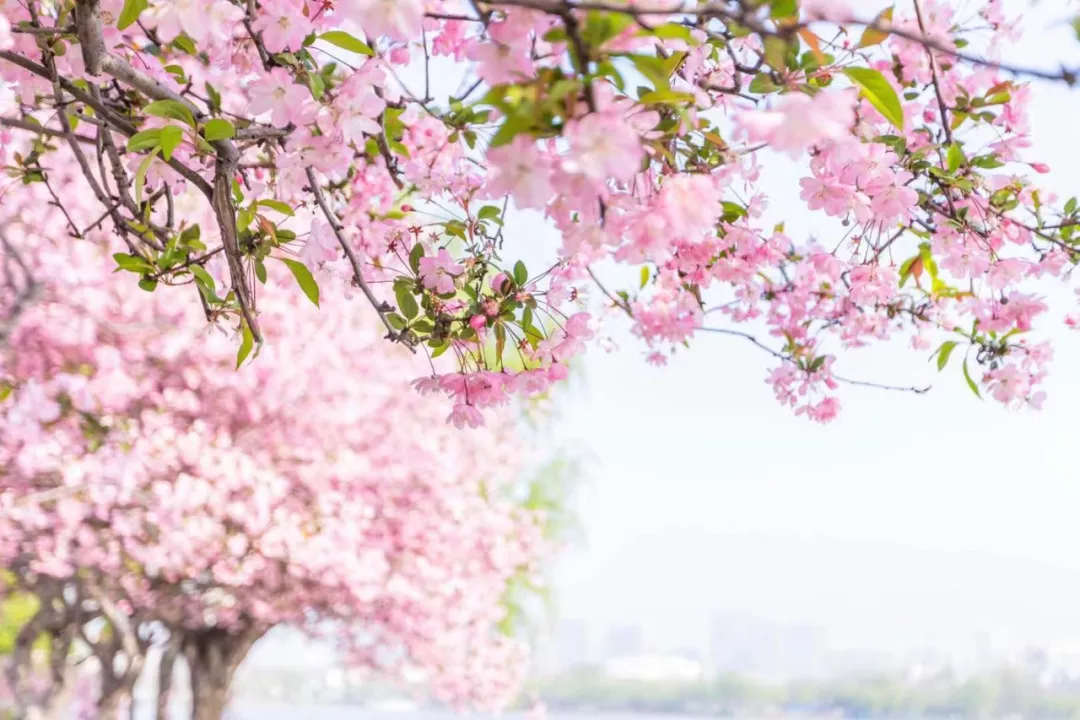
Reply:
x=911 y=522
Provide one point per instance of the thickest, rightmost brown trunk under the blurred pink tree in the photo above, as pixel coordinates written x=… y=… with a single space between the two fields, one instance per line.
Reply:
x=213 y=657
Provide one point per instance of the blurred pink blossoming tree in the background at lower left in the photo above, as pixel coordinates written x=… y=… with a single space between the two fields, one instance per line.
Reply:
x=151 y=494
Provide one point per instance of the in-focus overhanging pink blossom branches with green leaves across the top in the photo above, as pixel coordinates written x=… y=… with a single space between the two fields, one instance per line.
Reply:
x=637 y=127
